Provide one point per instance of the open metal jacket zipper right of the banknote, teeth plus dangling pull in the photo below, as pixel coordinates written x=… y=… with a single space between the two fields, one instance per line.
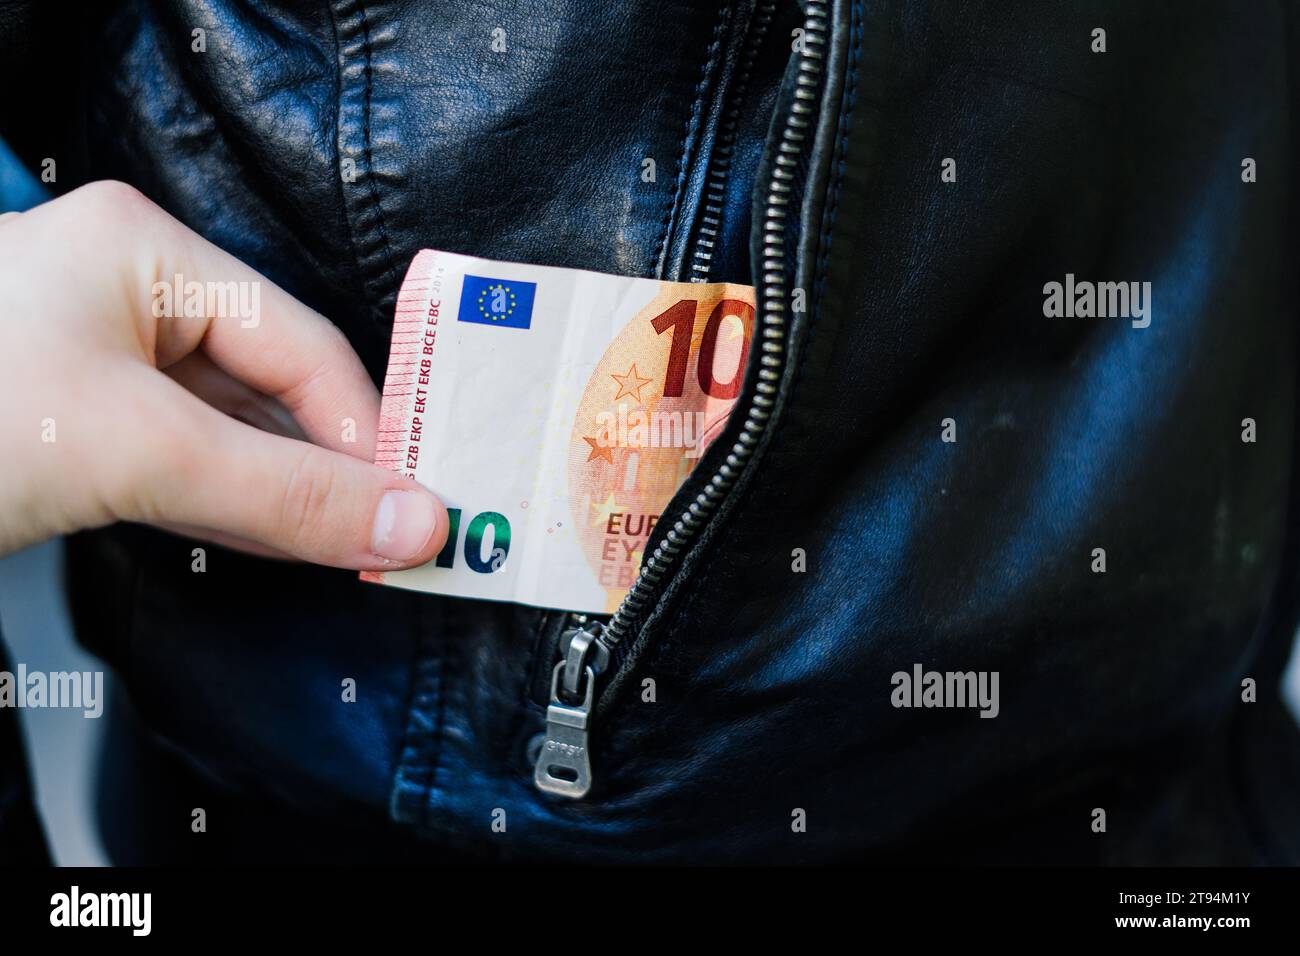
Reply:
x=588 y=647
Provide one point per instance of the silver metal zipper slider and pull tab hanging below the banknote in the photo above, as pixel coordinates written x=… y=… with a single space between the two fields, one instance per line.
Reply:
x=564 y=764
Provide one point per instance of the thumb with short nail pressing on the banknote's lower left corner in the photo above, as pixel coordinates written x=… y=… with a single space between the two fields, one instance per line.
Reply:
x=302 y=500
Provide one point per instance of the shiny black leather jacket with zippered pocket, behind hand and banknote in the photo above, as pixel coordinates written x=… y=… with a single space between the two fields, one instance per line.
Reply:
x=801 y=149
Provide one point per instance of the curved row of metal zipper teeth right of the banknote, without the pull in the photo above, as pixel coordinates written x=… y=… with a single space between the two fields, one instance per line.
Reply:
x=774 y=328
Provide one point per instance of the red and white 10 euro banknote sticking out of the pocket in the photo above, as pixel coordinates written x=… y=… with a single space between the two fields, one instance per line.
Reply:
x=556 y=413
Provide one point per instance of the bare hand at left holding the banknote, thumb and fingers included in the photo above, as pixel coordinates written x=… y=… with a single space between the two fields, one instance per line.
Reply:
x=114 y=410
